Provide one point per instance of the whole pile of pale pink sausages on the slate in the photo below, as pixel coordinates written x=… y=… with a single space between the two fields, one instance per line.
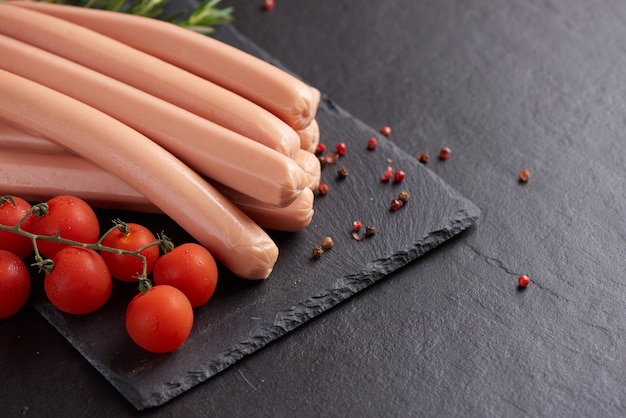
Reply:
x=137 y=113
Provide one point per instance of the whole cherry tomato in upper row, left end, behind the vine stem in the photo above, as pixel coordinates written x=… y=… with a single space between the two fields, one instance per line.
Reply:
x=69 y=216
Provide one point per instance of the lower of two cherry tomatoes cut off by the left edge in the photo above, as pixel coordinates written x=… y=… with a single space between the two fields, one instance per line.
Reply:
x=14 y=284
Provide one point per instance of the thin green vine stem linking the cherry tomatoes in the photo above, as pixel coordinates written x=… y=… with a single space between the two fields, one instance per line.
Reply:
x=46 y=265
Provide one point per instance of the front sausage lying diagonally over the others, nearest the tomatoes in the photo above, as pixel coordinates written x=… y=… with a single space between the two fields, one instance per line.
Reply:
x=240 y=244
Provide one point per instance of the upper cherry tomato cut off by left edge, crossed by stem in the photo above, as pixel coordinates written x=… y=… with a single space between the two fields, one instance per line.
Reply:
x=10 y=215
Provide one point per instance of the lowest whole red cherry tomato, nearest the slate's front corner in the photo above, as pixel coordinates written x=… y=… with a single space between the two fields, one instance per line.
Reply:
x=159 y=320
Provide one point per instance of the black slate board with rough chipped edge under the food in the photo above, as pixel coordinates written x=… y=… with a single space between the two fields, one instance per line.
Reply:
x=244 y=316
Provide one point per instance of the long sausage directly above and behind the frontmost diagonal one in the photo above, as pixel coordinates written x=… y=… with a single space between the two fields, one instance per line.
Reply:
x=210 y=149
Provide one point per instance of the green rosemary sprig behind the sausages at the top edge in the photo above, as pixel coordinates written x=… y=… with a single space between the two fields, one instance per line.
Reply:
x=203 y=19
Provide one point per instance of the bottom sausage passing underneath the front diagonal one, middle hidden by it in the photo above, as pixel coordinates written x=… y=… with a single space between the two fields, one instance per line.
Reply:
x=37 y=176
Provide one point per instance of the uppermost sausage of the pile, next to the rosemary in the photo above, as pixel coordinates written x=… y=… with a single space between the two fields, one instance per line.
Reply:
x=272 y=88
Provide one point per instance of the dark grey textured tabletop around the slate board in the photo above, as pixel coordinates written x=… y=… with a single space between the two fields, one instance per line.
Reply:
x=506 y=85
